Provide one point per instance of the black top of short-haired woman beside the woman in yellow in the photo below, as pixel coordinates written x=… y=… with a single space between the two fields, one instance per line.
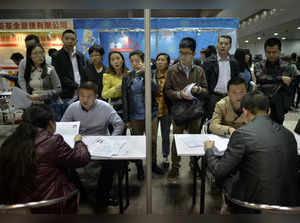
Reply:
x=92 y=75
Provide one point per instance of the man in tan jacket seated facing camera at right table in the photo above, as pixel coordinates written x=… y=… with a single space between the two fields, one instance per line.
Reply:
x=227 y=116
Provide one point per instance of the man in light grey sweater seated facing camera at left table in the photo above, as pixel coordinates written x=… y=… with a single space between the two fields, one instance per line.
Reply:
x=95 y=116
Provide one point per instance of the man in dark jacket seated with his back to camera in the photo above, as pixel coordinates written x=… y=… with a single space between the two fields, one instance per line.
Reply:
x=264 y=153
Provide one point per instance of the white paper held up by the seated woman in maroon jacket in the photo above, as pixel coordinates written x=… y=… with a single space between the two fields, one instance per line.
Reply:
x=68 y=130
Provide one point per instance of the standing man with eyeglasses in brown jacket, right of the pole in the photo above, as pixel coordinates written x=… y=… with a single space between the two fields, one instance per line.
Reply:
x=179 y=76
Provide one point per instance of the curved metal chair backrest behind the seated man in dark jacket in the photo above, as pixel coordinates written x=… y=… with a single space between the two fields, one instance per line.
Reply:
x=264 y=208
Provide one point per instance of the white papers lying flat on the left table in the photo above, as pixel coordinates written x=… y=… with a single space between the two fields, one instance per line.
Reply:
x=106 y=147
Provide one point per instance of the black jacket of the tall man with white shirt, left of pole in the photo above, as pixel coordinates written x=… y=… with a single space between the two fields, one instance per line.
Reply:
x=63 y=66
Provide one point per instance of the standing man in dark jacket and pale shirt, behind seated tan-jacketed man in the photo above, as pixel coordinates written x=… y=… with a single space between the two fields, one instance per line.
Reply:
x=219 y=69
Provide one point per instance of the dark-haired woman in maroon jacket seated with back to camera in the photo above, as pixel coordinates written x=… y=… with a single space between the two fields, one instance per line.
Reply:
x=34 y=163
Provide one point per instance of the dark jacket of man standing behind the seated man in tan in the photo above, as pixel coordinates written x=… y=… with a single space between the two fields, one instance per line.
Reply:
x=211 y=68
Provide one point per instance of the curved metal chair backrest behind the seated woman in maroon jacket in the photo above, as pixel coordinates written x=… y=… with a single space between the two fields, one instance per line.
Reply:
x=17 y=208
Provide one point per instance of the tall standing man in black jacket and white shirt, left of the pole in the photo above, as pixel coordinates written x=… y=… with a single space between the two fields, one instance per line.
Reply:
x=69 y=65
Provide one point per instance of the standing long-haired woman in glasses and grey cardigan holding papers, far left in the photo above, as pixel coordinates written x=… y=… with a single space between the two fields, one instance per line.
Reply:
x=40 y=79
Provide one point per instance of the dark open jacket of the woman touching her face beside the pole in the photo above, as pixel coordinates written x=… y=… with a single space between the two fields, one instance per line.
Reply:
x=127 y=96
